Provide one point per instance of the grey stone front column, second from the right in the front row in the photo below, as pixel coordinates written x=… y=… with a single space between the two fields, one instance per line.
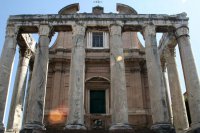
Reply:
x=160 y=114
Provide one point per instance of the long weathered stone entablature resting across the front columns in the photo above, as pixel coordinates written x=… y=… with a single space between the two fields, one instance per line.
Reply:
x=130 y=22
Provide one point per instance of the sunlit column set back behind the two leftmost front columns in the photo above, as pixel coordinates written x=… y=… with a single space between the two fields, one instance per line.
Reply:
x=14 y=118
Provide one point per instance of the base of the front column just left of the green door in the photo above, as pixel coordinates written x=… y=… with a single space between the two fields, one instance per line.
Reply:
x=76 y=128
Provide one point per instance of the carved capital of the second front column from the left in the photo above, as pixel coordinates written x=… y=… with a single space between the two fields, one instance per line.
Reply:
x=45 y=30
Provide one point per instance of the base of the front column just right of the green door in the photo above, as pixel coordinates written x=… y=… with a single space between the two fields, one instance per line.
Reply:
x=121 y=128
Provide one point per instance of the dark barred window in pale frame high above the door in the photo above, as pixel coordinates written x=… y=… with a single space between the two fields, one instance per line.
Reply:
x=97 y=39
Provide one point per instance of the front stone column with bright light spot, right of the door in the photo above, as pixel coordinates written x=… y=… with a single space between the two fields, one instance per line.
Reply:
x=118 y=80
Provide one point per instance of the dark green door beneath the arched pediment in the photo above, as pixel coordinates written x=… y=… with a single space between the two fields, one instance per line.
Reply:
x=97 y=102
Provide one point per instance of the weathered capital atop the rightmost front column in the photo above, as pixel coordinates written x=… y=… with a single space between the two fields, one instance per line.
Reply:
x=181 y=30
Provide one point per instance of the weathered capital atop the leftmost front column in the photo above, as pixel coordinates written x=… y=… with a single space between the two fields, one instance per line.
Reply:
x=12 y=31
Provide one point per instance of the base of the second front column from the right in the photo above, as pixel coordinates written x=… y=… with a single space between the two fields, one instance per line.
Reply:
x=163 y=128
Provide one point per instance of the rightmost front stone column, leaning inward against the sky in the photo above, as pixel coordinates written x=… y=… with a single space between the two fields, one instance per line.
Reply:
x=190 y=75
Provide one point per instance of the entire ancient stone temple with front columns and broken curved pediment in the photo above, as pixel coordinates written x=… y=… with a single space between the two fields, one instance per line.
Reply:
x=98 y=76
